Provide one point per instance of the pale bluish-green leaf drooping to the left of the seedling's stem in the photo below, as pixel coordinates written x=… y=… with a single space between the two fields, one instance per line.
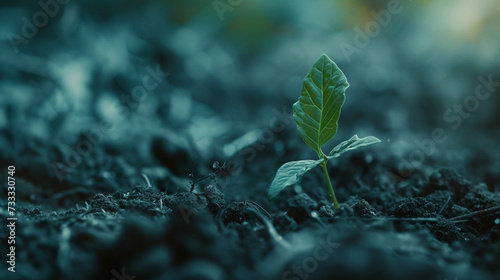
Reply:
x=289 y=174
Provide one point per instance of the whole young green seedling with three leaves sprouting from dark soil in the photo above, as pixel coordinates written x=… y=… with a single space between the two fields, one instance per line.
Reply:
x=316 y=115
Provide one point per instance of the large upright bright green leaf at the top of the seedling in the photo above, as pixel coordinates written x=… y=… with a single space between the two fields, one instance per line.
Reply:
x=318 y=109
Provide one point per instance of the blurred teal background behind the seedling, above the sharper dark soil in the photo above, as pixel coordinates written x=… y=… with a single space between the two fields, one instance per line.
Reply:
x=96 y=93
